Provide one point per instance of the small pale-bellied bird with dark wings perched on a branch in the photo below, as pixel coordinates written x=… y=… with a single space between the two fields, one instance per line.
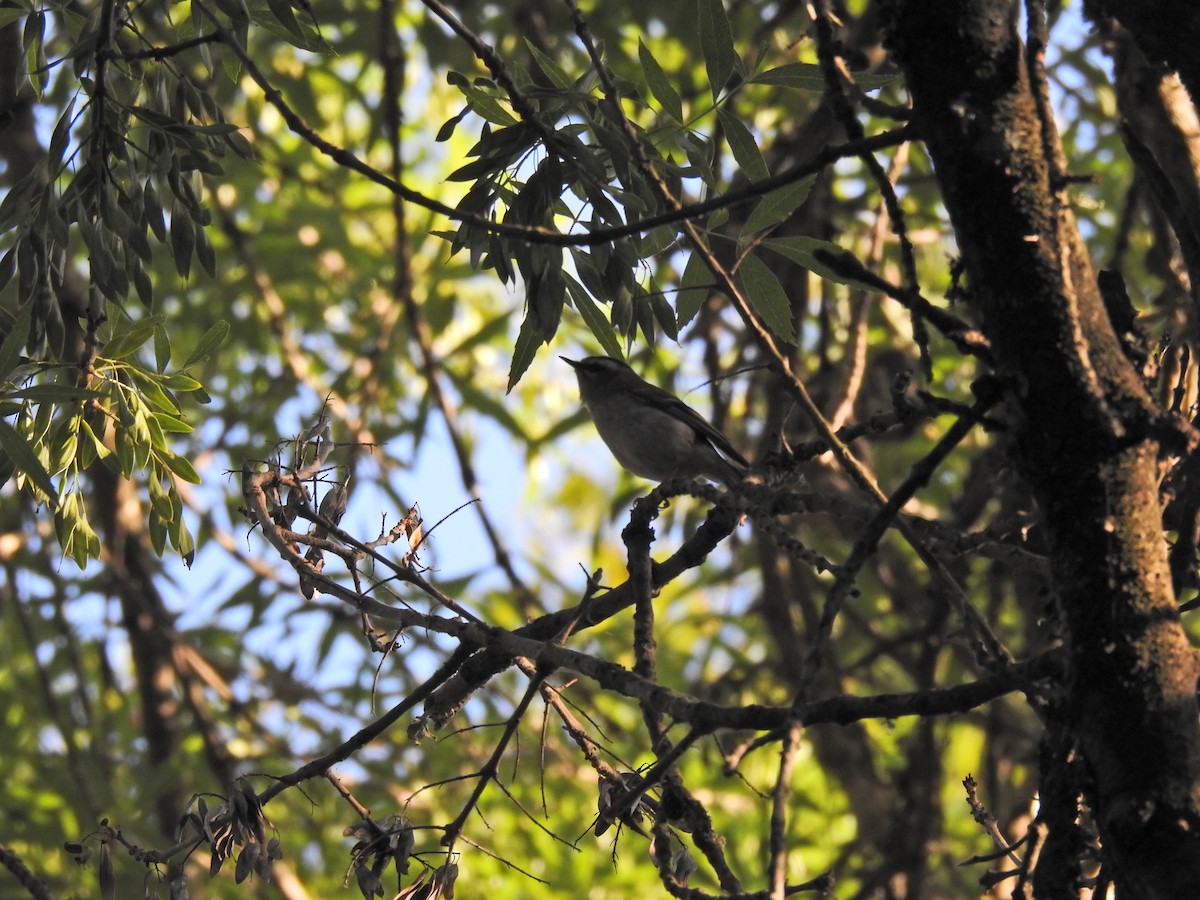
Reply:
x=652 y=433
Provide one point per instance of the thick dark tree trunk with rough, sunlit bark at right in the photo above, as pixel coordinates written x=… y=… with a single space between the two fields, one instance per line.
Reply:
x=1083 y=436
